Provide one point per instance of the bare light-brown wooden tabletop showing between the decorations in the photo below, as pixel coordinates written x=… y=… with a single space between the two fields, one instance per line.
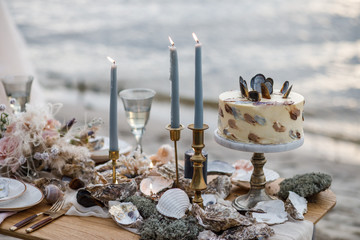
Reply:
x=72 y=227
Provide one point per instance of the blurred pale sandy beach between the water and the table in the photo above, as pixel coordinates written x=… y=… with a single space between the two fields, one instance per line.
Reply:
x=318 y=154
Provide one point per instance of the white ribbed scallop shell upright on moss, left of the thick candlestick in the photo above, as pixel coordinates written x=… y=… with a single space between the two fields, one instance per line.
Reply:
x=173 y=203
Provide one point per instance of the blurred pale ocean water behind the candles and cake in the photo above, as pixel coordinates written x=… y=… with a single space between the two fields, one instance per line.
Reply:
x=314 y=44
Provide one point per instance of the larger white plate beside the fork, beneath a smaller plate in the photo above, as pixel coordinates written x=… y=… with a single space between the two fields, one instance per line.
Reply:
x=30 y=198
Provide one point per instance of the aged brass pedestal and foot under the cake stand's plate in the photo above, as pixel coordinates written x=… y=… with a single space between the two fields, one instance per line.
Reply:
x=257 y=182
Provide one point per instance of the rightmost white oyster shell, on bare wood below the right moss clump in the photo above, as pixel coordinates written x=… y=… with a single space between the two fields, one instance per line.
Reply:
x=296 y=206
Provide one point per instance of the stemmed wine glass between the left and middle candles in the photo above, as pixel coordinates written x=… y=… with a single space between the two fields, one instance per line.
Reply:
x=137 y=104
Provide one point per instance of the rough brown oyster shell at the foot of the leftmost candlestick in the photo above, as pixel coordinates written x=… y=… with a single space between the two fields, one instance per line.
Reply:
x=112 y=192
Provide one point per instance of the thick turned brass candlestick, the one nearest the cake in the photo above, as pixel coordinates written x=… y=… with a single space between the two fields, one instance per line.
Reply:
x=198 y=182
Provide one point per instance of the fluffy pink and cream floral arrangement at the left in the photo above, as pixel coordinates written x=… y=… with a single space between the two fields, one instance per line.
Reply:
x=34 y=142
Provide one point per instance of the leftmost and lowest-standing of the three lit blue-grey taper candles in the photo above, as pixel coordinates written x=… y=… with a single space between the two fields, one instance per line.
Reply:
x=113 y=109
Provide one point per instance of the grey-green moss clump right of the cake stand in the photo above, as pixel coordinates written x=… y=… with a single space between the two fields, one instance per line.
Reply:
x=305 y=185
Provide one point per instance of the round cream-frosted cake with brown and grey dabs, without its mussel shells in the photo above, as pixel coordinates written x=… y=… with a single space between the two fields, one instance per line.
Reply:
x=269 y=121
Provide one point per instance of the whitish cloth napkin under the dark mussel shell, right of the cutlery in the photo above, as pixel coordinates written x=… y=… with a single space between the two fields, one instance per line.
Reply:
x=77 y=210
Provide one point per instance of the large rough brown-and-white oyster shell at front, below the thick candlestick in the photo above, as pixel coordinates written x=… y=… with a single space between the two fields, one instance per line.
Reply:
x=218 y=217
